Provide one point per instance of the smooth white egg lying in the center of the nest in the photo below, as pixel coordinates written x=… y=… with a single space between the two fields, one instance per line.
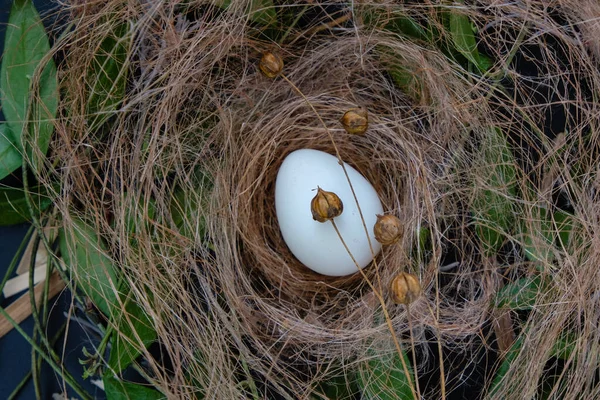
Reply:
x=316 y=244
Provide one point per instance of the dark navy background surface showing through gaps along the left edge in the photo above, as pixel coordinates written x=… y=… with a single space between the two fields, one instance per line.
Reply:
x=15 y=352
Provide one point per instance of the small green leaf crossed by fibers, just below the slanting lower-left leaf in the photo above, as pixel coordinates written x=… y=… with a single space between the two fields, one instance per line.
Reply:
x=134 y=330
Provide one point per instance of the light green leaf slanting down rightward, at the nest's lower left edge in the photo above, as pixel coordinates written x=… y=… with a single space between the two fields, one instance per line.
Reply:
x=93 y=270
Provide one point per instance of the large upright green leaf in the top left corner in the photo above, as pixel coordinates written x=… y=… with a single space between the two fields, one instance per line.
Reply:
x=25 y=46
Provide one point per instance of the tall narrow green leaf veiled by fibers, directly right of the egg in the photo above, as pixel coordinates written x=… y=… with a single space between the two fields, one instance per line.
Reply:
x=493 y=206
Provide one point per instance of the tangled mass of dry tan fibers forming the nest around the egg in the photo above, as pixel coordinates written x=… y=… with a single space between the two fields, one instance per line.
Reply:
x=177 y=174
